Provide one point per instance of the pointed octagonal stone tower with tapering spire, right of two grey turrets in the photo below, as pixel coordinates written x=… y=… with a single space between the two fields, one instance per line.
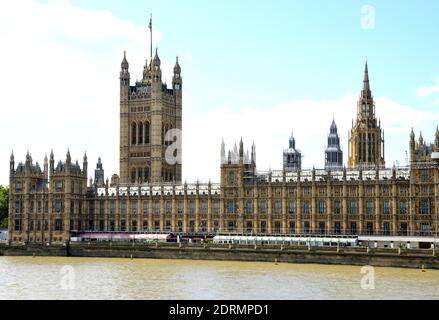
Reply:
x=366 y=139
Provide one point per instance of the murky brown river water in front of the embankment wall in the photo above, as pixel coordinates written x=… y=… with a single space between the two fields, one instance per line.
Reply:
x=74 y=278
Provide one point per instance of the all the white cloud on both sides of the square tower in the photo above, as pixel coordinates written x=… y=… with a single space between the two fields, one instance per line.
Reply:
x=60 y=89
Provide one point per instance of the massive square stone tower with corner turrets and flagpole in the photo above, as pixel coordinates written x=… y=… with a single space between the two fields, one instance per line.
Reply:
x=150 y=125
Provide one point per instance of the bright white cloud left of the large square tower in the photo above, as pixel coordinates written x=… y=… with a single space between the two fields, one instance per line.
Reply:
x=59 y=86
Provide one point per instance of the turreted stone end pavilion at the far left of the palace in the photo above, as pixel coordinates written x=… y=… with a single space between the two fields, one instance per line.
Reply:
x=45 y=205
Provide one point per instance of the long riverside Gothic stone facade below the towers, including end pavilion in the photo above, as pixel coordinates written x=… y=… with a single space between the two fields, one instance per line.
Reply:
x=380 y=202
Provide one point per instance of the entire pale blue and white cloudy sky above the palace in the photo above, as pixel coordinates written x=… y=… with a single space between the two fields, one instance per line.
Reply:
x=259 y=70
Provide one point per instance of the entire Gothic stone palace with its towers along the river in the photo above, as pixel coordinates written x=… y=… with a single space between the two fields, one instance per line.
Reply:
x=48 y=204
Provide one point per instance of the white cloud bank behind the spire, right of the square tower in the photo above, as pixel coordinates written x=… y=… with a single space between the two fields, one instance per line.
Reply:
x=310 y=122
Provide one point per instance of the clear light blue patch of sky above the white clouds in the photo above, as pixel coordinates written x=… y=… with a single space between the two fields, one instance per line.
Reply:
x=278 y=51
